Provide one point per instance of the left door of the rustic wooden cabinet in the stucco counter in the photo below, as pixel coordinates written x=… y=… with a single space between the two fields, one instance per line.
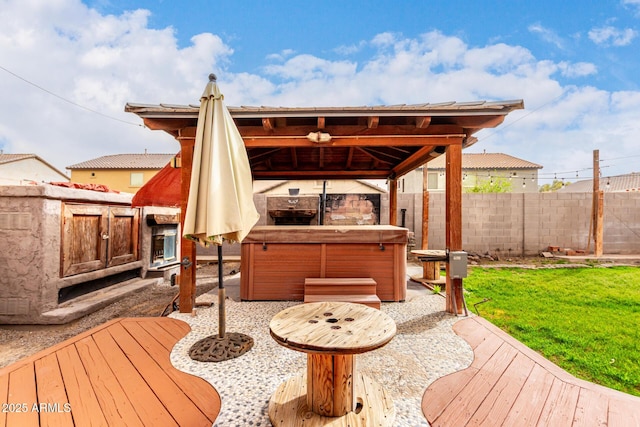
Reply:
x=84 y=238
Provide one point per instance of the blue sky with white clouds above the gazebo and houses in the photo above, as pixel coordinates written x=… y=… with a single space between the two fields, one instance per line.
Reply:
x=68 y=68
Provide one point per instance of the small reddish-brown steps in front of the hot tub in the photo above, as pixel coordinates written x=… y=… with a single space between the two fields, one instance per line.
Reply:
x=333 y=289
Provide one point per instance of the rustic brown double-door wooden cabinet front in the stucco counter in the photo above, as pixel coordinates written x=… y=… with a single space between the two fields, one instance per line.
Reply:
x=96 y=237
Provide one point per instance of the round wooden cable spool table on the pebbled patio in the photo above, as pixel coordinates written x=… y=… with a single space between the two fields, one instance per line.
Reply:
x=331 y=333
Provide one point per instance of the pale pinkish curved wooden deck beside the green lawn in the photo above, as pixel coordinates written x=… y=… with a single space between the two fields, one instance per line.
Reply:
x=509 y=384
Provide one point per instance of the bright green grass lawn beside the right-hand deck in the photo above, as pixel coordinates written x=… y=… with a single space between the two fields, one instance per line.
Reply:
x=585 y=320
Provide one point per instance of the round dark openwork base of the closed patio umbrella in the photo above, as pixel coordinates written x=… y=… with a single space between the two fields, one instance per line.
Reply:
x=216 y=349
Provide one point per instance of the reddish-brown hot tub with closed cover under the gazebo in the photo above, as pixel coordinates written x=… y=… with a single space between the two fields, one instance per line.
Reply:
x=277 y=259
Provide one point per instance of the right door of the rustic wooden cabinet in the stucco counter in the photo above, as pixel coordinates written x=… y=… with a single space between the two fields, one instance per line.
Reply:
x=123 y=235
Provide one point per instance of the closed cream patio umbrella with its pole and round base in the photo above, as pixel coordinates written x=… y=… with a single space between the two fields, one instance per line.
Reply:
x=220 y=203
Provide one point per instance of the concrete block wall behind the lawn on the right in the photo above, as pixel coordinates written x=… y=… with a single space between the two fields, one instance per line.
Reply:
x=525 y=224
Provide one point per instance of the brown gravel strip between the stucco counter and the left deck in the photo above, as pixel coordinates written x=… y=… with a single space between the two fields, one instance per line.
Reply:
x=18 y=341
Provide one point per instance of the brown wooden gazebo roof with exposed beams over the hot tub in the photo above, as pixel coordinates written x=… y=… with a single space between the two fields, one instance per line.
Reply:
x=378 y=142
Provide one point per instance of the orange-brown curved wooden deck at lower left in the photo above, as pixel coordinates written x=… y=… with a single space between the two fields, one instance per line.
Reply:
x=118 y=374
